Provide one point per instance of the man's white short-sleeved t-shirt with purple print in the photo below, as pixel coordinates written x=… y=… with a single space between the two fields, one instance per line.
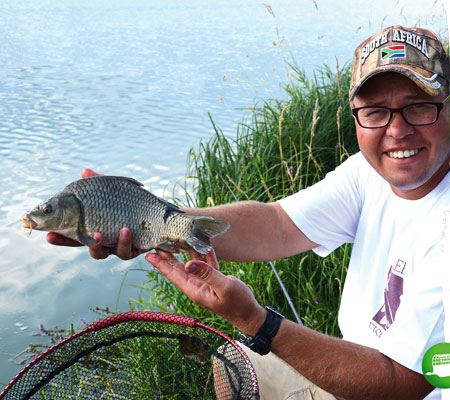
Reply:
x=392 y=297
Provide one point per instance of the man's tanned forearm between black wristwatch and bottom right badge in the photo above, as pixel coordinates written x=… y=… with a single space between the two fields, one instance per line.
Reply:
x=346 y=369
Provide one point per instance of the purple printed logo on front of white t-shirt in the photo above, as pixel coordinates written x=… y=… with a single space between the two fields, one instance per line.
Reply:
x=393 y=291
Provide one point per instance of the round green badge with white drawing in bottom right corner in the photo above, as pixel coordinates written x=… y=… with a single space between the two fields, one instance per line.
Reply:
x=436 y=365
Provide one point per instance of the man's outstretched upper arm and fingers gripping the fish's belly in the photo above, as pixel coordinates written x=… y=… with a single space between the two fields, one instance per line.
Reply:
x=258 y=232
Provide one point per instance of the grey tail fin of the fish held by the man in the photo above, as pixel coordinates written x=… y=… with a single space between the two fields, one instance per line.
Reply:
x=203 y=229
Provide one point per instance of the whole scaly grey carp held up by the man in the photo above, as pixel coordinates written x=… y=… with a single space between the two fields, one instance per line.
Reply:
x=108 y=203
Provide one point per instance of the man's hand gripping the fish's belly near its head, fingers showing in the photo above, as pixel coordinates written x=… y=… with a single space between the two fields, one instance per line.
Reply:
x=124 y=248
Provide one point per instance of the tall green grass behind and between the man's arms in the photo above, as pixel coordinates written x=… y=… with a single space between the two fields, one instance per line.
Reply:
x=281 y=146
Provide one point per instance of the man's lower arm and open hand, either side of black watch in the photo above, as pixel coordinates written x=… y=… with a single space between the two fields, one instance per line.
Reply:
x=342 y=368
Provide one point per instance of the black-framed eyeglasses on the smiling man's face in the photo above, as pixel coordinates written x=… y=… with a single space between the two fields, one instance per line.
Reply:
x=418 y=114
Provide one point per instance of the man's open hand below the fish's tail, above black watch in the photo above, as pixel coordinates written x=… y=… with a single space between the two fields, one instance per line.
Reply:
x=201 y=280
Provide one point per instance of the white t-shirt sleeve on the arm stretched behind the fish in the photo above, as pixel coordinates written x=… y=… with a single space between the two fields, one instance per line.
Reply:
x=328 y=212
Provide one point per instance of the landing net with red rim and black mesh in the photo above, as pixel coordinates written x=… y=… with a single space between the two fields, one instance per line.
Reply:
x=139 y=356
